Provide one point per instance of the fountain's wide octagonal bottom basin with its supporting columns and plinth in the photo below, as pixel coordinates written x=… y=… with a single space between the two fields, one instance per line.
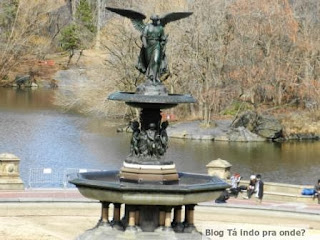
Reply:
x=147 y=207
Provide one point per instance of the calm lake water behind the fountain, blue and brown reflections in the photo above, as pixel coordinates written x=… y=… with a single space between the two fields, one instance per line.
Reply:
x=42 y=136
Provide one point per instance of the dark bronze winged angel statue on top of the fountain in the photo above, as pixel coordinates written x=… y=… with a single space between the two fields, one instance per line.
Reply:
x=152 y=59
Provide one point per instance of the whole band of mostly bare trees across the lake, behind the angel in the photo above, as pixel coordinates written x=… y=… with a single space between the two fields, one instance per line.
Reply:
x=230 y=54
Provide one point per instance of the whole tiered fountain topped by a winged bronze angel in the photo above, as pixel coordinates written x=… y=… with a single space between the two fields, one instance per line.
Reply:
x=148 y=187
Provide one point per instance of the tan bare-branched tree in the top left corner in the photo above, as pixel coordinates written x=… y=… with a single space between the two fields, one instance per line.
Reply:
x=26 y=34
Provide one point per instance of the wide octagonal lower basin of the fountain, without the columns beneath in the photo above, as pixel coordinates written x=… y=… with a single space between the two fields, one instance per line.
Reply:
x=106 y=186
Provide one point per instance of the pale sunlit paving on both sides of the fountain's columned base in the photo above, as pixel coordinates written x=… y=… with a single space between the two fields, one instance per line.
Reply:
x=63 y=214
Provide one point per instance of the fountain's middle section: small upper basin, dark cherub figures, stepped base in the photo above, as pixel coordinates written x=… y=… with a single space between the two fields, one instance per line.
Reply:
x=146 y=162
